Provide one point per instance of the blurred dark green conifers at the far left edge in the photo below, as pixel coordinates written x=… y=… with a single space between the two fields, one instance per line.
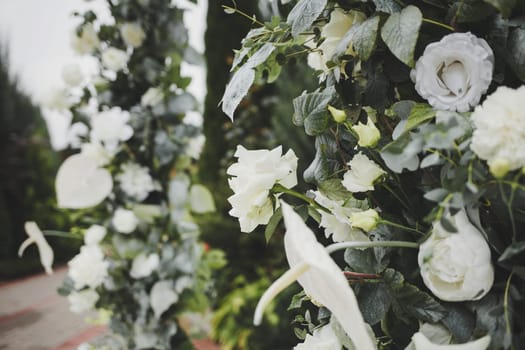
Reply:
x=27 y=172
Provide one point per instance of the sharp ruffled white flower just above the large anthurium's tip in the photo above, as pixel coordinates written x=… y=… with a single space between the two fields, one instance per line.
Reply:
x=255 y=173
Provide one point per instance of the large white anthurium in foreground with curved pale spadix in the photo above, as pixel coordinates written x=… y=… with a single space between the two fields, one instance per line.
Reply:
x=320 y=277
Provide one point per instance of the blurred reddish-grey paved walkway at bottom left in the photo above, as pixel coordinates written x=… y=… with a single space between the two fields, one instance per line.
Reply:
x=34 y=317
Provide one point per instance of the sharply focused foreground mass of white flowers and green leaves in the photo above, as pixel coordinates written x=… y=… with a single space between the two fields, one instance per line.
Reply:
x=418 y=173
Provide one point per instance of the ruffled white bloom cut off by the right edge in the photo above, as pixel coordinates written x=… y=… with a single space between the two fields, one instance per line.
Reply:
x=499 y=129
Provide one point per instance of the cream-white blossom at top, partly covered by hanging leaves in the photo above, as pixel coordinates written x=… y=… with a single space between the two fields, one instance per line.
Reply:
x=332 y=33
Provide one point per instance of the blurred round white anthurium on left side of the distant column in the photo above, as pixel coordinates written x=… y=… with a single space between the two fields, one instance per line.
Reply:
x=81 y=183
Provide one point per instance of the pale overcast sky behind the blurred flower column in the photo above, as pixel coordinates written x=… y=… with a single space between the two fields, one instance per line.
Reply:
x=38 y=32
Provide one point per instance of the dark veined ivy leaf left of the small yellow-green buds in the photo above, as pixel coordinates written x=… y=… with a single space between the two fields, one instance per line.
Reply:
x=311 y=111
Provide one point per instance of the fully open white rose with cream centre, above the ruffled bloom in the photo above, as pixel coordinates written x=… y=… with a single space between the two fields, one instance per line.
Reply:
x=453 y=73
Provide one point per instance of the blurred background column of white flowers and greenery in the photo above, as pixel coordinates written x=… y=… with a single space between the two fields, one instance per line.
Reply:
x=128 y=186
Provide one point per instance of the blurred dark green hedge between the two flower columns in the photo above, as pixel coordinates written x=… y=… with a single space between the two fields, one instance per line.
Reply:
x=264 y=120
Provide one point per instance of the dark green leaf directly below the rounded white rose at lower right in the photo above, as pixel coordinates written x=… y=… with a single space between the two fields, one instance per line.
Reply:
x=418 y=304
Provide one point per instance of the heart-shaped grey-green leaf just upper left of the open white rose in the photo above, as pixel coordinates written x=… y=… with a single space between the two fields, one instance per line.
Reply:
x=400 y=33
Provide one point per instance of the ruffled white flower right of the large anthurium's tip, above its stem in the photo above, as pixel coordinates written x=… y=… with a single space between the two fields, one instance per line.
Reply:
x=338 y=224
